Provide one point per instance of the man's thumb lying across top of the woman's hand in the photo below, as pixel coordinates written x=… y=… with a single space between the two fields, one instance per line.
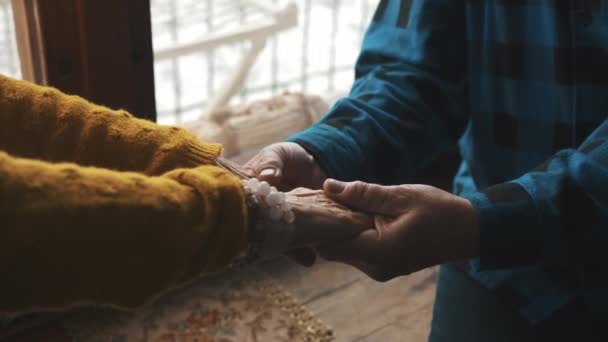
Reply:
x=359 y=195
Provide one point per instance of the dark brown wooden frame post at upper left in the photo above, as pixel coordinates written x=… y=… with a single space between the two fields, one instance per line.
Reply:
x=98 y=49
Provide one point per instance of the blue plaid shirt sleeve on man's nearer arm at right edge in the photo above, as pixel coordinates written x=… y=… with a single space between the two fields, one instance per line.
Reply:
x=555 y=215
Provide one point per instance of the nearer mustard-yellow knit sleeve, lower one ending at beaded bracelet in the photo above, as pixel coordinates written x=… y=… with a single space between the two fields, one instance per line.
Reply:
x=79 y=234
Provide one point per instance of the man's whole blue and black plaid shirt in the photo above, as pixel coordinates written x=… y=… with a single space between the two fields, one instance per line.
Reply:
x=522 y=86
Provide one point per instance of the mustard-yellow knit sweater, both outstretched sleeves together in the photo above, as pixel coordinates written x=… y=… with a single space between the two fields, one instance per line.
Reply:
x=98 y=206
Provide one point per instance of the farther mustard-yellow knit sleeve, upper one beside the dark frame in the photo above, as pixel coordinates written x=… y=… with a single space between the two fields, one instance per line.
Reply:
x=43 y=123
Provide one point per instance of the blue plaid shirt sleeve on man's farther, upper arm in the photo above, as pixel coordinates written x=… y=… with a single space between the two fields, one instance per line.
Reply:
x=408 y=101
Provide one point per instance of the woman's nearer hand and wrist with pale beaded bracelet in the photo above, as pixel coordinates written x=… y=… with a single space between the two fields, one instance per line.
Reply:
x=297 y=221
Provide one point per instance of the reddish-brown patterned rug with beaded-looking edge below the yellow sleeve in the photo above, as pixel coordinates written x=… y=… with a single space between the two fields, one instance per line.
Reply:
x=237 y=306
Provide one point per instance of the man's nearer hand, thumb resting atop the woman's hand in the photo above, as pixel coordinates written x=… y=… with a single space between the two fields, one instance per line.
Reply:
x=417 y=226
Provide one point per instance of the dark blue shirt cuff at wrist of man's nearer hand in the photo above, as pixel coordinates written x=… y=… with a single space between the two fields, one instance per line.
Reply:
x=510 y=232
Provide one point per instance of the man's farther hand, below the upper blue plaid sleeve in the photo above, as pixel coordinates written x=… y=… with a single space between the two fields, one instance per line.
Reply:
x=287 y=166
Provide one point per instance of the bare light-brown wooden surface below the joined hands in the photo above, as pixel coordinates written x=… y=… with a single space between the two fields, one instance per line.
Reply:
x=357 y=307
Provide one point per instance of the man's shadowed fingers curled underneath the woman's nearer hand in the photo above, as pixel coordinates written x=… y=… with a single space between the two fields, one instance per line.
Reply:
x=366 y=246
